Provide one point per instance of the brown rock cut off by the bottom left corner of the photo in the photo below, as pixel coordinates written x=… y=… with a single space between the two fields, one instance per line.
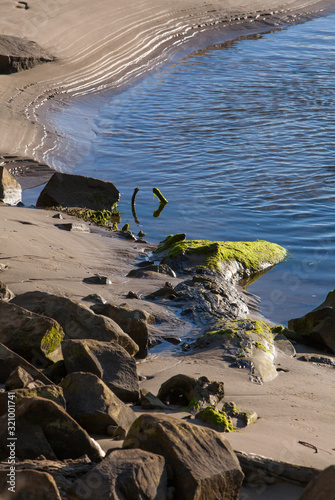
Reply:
x=28 y=485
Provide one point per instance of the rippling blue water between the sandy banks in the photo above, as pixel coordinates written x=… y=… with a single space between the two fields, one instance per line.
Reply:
x=240 y=138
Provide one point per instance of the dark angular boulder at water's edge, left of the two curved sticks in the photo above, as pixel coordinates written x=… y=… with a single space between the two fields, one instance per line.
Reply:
x=70 y=190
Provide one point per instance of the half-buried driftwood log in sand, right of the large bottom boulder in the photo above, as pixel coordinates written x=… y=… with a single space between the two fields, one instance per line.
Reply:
x=260 y=470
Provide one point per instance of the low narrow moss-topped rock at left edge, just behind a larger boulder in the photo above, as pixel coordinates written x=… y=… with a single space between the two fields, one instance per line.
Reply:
x=52 y=392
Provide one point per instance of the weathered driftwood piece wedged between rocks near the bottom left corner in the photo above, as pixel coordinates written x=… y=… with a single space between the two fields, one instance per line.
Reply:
x=64 y=472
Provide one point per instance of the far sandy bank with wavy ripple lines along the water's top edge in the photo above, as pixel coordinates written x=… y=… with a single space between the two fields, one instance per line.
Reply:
x=108 y=58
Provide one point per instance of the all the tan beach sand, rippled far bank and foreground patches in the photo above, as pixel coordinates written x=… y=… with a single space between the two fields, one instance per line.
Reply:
x=101 y=45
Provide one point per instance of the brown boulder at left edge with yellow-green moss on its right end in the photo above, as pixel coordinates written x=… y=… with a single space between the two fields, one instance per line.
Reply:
x=29 y=334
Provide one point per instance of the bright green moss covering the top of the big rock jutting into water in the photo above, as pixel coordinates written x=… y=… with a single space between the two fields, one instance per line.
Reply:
x=253 y=255
